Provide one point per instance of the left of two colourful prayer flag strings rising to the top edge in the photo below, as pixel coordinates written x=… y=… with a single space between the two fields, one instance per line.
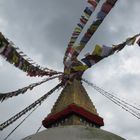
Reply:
x=83 y=20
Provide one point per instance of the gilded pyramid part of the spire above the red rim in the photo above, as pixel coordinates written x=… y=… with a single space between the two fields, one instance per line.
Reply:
x=74 y=93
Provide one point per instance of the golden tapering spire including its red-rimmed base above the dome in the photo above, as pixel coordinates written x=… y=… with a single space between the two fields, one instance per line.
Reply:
x=73 y=107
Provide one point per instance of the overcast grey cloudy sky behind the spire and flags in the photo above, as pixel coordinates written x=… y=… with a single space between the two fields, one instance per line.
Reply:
x=41 y=29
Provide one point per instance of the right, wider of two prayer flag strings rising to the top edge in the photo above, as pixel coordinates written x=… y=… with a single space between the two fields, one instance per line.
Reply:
x=105 y=9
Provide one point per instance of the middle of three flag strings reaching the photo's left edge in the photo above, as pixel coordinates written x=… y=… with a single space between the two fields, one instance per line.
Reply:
x=4 y=96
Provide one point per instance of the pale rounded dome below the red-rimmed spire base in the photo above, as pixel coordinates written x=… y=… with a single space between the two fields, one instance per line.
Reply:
x=74 y=132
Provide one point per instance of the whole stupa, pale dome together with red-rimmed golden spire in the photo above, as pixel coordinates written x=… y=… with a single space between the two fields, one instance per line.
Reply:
x=73 y=117
